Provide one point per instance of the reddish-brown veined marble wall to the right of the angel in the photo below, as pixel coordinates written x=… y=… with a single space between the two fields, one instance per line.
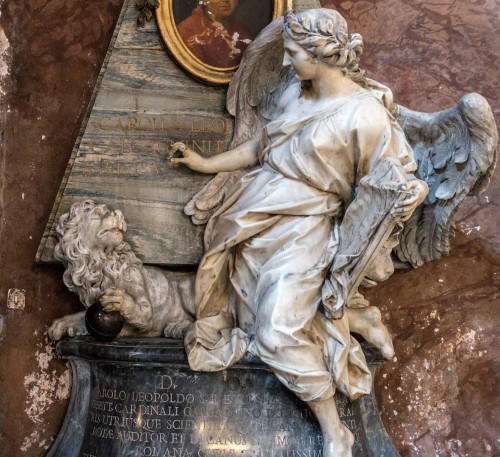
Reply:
x=441 y=396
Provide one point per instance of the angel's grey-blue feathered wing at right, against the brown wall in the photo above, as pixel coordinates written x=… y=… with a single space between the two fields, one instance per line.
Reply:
x=456 y=153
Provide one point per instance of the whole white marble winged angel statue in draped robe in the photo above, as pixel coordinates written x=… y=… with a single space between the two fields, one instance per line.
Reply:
x=292 y=228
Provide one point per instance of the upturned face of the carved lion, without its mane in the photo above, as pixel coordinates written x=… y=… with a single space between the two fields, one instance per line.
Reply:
x=102 y=229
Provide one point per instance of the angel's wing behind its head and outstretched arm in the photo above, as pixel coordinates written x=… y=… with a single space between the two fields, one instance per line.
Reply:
x=252 y=98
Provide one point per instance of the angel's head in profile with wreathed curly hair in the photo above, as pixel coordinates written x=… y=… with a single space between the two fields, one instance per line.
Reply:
x=321 y=35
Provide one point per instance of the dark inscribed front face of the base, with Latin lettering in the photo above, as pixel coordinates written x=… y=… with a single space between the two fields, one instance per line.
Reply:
x=179 y=413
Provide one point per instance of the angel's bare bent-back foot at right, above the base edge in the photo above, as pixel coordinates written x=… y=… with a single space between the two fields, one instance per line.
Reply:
x=368 y=323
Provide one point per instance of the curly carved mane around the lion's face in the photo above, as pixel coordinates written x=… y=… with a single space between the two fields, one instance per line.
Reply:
x=89 y=272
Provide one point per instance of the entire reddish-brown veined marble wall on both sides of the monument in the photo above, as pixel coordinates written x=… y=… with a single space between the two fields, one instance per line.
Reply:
x=440 y=395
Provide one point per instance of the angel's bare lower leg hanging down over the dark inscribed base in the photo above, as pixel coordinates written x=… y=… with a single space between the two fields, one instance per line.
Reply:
x=337 y=439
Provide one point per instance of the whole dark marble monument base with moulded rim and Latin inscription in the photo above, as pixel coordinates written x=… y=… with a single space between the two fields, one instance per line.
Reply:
x=138 y=398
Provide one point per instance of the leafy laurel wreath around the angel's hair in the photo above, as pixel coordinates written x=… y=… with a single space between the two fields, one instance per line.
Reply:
x=330 y=46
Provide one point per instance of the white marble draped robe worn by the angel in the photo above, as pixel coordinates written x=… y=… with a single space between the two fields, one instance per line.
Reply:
x=268 y=249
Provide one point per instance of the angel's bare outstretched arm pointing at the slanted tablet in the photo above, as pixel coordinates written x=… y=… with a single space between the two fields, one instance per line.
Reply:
x=243 y=156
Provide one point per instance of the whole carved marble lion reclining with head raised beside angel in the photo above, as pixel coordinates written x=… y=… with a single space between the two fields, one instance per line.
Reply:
x=100 y=266
